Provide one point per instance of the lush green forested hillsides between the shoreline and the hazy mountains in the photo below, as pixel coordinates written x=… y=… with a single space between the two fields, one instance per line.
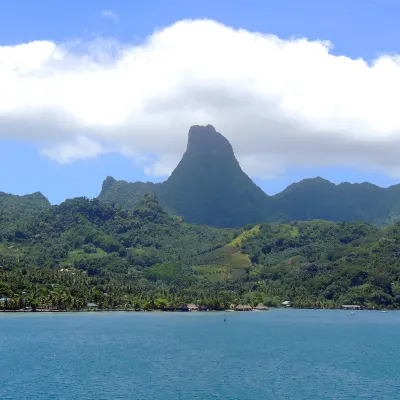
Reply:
x=85 y=251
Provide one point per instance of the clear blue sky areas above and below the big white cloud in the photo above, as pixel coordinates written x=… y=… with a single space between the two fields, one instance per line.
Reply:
x=357 y=28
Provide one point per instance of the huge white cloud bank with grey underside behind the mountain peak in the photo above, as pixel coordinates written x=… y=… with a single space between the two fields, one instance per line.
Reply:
x=279 y=102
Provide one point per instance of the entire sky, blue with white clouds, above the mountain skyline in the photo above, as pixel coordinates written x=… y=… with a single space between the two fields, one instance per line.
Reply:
x=97 y=88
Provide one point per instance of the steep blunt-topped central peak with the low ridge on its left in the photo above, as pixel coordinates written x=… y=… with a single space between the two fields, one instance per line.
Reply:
x=207 y=187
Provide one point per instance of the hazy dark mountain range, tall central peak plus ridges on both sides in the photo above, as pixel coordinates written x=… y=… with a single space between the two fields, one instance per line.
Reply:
x=209 y=187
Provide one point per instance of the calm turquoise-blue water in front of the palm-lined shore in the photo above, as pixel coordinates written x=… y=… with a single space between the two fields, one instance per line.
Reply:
x=280 y=354
